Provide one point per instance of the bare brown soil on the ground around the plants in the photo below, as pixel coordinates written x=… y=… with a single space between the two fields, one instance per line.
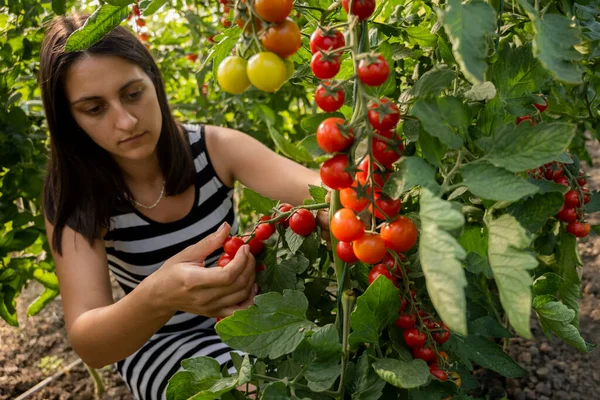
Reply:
x=39 y=348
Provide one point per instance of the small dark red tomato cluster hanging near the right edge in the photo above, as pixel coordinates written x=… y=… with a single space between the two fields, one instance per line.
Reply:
x=572 y=211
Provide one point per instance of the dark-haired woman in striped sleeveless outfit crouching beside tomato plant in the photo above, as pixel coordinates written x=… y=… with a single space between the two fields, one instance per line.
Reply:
x=132 y=191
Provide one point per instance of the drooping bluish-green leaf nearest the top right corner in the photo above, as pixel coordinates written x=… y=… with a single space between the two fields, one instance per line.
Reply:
x=554 y=44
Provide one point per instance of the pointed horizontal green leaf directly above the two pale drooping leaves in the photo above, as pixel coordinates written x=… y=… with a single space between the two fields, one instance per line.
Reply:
x=488 y=182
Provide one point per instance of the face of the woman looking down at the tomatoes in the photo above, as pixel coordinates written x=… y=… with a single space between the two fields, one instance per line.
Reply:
x=115 y=103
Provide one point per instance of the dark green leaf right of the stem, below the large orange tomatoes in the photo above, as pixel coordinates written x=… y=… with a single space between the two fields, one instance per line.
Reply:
x=375 y=308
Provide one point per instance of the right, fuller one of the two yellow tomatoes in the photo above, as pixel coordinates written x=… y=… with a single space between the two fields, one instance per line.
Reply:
x=266 y=71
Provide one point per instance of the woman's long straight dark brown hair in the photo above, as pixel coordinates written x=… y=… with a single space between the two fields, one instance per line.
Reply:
x=84 y=185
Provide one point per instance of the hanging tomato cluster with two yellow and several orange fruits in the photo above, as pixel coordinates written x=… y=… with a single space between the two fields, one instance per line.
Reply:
x=280 y=37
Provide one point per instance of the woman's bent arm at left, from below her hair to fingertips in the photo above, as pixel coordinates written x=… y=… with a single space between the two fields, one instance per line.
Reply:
x=103 y=332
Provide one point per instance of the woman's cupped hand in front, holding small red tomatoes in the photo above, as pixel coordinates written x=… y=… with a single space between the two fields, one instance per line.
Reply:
x=183 y=283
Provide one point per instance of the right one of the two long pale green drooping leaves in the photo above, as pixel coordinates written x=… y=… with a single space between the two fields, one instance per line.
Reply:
x=508 y=242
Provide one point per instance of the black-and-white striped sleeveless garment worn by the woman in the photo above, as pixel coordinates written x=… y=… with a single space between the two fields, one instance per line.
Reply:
x=137 y=246
